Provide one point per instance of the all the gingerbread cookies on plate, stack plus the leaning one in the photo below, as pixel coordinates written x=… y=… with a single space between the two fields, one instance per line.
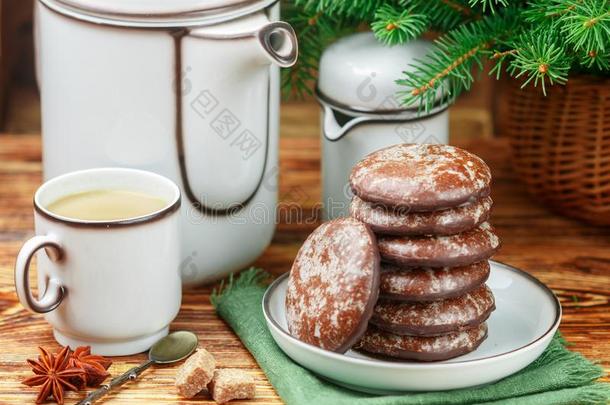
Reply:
x=405 y=275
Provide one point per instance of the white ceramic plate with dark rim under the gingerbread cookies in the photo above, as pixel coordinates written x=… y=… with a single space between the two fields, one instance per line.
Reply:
x=526 y=317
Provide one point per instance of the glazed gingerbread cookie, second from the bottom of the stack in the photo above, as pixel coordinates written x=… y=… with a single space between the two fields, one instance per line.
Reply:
x=434 y=318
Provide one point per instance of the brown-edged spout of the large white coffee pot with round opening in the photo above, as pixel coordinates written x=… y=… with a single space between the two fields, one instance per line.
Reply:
x=225 y=129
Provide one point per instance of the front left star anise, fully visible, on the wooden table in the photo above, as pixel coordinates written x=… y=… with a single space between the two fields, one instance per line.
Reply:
x=53 y=375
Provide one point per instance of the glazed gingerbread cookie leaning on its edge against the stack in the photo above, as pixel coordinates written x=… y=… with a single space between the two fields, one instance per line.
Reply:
x=333 y=285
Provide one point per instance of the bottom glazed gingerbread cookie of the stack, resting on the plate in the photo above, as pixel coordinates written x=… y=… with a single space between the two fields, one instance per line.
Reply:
x=422 y=348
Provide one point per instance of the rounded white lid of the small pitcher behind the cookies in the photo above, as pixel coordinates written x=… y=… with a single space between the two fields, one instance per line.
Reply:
x=358 y=73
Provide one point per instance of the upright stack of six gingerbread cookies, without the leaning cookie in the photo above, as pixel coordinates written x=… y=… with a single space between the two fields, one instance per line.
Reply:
x=428 y=206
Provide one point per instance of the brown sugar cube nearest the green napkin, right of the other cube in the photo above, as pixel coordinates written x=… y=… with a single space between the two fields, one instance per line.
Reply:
x=230 y=383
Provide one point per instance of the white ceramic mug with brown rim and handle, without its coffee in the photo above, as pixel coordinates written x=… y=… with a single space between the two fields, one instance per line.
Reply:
x=112 y=285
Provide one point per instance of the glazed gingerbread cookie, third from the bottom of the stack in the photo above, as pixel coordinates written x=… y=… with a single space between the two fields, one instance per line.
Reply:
x=422 y=284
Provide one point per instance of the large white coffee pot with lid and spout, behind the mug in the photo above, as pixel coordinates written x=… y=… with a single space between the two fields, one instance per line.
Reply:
x=188 y=89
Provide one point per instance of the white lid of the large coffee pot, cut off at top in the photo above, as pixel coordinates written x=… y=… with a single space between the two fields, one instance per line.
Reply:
x=157 y=13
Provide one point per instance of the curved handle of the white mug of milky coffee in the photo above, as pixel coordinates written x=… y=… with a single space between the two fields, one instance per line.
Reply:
x=54 y=291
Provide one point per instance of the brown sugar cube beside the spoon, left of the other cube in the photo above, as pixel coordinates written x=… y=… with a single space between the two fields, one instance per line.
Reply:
x=195 y=374
